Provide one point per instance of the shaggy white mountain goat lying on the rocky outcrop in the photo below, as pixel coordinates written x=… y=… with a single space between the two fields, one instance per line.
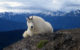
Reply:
x=37 y=25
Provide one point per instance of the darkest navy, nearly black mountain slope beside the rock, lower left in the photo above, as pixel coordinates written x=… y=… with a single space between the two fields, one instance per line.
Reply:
x=9 y=37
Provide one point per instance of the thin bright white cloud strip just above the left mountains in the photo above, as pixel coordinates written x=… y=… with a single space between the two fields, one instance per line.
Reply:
x=19 y=10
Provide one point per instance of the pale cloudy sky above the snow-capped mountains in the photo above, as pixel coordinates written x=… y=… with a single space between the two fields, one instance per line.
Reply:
x=37 y=5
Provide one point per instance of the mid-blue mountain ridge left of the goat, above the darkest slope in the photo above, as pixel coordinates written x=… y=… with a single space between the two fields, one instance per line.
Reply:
x=7 y=25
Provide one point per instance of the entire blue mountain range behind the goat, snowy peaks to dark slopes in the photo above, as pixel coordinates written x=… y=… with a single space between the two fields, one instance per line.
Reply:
x=12 y=25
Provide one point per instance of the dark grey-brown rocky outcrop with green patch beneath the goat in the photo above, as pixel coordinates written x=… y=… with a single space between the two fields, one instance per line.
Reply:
x=60 y=40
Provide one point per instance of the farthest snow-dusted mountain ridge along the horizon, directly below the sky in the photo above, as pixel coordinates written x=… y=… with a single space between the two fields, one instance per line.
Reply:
x=20 y=17
